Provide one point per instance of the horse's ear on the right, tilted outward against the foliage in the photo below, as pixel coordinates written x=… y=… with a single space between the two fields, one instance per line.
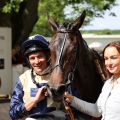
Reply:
x=79 y=21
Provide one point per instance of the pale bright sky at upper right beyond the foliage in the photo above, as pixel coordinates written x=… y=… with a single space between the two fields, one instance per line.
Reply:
x=108 y=22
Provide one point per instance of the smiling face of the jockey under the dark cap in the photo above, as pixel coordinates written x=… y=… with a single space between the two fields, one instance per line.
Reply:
x=38 y=61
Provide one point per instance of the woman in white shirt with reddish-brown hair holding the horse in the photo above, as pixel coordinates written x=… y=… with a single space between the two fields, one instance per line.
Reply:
x=108 y=103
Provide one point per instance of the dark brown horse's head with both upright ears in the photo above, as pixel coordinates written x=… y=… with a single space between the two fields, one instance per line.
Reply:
x=64 y=50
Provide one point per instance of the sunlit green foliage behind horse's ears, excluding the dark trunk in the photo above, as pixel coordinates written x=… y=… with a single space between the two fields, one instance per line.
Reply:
x=57 y=8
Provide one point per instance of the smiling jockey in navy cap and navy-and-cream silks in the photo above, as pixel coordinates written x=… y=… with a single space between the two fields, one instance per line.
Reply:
x=30 y=96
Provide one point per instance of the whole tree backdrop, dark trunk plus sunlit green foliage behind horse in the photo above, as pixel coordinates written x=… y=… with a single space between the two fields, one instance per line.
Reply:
x=24 y=15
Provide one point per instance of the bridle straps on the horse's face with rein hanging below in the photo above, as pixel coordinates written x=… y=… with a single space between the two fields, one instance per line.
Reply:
x=70 y=76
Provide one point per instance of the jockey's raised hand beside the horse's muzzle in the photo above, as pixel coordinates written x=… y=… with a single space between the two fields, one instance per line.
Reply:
x=41 y=94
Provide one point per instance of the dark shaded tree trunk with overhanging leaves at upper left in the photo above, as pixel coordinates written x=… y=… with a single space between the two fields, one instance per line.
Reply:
x=21 y=16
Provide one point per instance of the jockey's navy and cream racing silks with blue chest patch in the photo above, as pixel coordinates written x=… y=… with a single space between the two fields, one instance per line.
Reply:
x=25 y=91
